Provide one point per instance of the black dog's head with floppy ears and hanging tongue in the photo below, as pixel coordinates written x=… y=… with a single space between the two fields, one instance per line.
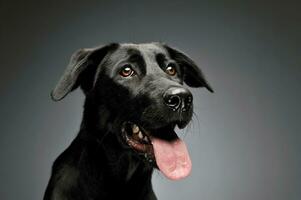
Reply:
x=137 y=93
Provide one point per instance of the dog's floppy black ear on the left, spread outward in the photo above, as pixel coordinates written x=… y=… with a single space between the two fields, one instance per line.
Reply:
x=81 y=71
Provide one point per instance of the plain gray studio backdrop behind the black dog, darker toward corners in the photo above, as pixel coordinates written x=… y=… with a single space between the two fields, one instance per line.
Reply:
x=245 y=139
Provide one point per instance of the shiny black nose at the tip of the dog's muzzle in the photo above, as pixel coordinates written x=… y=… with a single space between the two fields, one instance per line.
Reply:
x=178 y=98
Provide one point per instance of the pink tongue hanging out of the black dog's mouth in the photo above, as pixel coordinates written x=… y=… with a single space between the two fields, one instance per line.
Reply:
x=172 y=158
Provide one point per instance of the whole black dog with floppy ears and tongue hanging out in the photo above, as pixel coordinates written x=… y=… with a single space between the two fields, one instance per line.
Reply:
x=134 y=99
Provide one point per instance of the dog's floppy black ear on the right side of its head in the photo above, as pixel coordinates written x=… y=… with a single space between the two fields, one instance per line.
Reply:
x=193 y=75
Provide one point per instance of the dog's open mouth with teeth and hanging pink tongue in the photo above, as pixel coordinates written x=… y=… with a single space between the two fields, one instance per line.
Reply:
x=161 y=146
